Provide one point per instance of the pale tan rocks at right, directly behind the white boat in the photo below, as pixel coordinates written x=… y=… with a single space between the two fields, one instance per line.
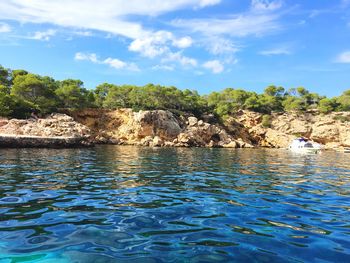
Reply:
x=331 y=130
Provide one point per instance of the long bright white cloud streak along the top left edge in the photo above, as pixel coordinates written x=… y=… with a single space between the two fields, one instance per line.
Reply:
x=108 y=15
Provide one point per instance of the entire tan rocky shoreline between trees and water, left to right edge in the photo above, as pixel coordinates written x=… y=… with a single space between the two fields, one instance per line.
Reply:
x=161 y=128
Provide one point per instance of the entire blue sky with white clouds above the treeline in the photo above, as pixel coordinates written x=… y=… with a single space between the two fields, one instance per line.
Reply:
x=205 y=45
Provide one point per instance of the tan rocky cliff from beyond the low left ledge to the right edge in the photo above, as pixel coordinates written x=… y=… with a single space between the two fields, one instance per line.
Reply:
x=162 y=128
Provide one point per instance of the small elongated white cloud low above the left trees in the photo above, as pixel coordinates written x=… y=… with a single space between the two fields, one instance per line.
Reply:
x=112 y=62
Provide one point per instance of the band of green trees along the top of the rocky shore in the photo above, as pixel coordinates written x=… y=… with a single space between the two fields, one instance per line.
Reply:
x=22 y=93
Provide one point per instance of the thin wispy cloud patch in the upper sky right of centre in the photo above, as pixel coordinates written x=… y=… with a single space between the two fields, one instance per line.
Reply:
x=220 y=35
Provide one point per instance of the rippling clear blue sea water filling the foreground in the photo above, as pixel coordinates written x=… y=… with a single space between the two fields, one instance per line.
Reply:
x=130 y=204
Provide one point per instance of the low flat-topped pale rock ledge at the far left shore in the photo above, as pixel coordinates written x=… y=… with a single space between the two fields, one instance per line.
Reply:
x=57 y=130
